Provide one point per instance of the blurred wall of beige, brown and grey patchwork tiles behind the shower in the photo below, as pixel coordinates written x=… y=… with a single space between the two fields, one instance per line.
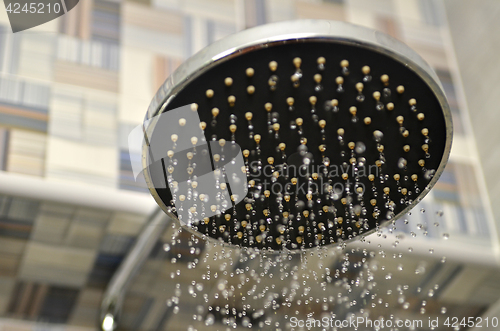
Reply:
x=71 y=91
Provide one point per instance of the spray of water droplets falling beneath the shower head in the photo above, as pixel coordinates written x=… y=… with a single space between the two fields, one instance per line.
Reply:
x=361 y=280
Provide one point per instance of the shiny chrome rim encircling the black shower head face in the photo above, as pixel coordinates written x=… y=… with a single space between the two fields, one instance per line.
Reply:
x=290 y=32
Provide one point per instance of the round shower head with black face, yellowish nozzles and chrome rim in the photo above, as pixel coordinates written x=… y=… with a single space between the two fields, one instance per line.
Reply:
x=297 y=134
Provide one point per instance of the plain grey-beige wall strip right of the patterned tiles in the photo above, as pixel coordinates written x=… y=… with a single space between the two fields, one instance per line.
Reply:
x=476 y=45
